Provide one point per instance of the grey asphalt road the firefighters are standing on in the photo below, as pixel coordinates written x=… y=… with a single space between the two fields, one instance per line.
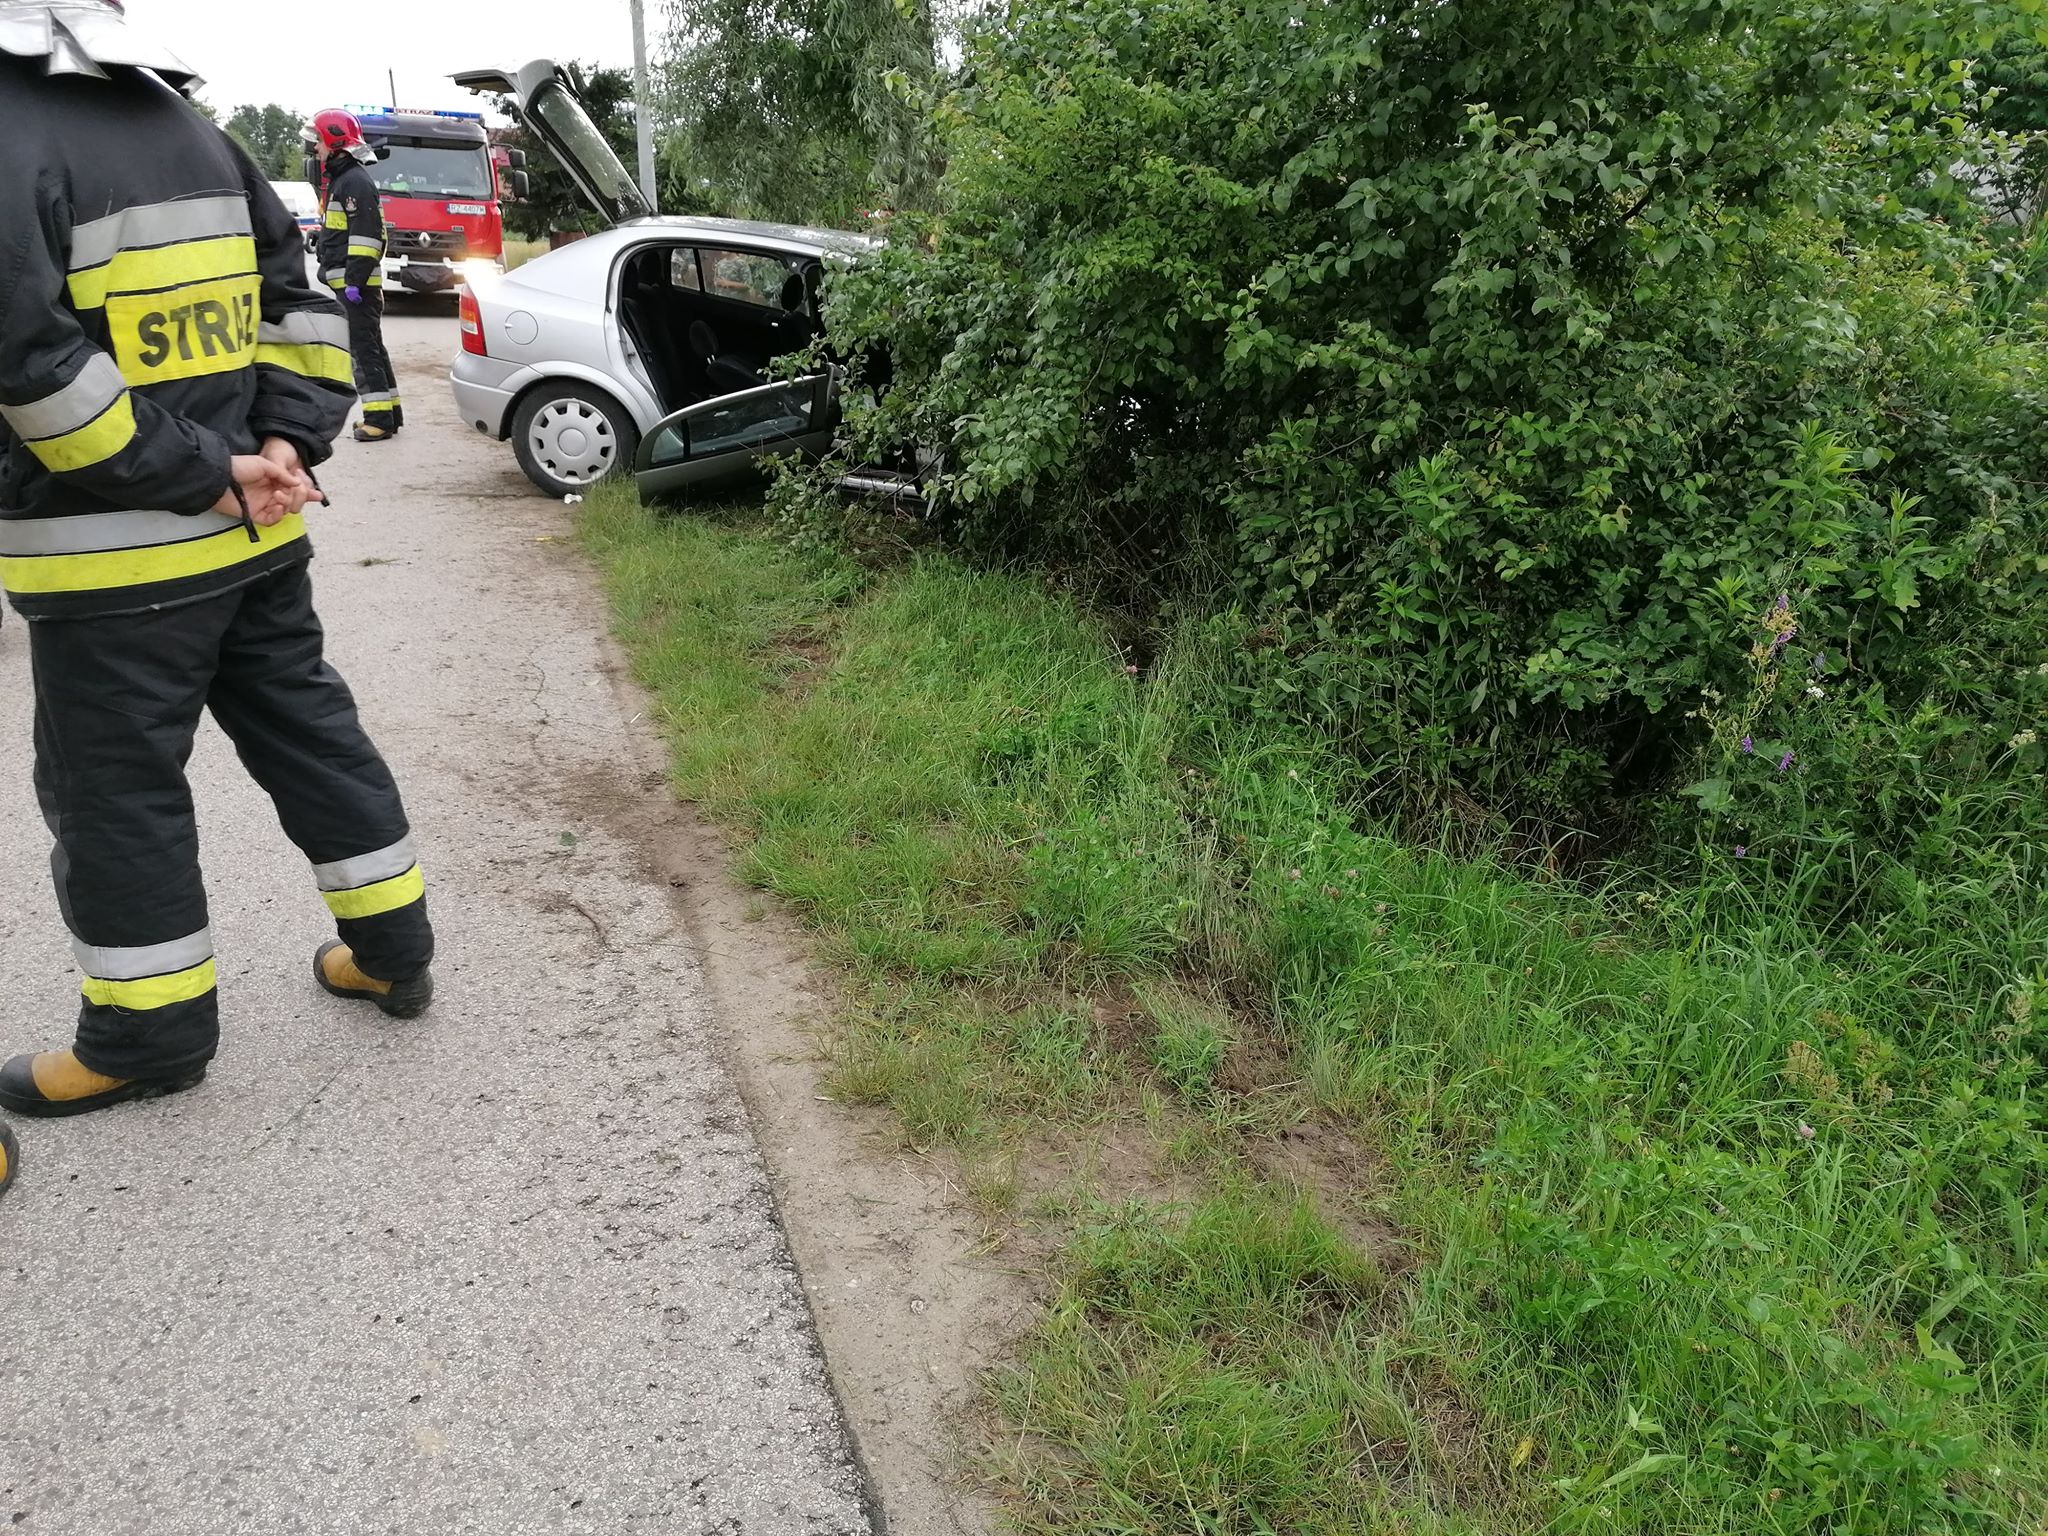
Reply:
x=509 y=1271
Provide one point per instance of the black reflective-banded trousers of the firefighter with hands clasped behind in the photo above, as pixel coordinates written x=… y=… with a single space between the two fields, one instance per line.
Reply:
x=118 y=703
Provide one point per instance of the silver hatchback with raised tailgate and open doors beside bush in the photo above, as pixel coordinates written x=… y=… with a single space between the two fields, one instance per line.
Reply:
x=652 y=345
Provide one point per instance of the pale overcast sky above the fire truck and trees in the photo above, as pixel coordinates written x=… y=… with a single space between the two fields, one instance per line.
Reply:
x=312 y=56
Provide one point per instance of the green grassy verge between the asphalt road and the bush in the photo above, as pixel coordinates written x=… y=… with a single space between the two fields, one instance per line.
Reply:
x=1498 y=1205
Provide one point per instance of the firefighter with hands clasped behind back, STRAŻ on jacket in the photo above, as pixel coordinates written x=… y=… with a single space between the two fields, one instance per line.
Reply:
x=169 y=382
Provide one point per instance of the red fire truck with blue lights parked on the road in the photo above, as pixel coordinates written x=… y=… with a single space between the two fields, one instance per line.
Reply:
x=443 y=185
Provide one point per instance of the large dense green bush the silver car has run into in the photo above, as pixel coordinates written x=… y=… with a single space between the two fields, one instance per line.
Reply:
x=1512 y=366
